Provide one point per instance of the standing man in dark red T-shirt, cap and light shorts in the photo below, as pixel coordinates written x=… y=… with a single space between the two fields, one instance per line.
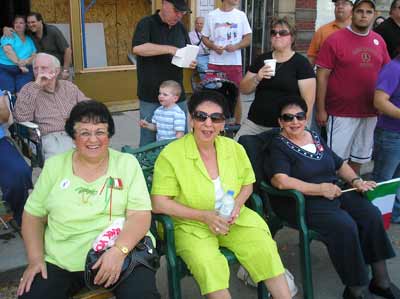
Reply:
x=347 y=68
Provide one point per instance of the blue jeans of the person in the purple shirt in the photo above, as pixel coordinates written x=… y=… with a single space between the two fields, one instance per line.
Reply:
x=387 y=162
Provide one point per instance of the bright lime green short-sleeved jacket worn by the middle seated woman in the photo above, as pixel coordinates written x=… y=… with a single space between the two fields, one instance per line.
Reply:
x=181 y=174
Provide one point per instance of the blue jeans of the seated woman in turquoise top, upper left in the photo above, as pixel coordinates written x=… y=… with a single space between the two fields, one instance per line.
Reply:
x=12 y=79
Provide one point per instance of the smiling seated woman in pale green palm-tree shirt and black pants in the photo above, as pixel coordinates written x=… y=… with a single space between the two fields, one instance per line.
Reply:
x=71 y=205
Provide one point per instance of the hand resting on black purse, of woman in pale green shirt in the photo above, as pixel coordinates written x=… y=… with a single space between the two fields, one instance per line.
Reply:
x=109 y=267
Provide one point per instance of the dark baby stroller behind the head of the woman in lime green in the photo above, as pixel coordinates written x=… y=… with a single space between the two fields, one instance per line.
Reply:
x=215 y=80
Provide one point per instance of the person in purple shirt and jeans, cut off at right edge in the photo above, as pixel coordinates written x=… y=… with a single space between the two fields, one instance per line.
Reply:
x=387 y=131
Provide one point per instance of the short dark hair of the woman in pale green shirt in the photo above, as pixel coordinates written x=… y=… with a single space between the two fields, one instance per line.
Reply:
x=90 y=111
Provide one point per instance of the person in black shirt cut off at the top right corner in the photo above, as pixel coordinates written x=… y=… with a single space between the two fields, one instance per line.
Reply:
x=390 y=29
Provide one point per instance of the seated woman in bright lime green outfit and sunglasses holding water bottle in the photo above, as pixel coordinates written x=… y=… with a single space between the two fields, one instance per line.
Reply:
x=191 y=175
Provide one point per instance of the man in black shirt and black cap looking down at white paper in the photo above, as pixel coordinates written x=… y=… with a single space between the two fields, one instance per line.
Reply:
x=155 y=42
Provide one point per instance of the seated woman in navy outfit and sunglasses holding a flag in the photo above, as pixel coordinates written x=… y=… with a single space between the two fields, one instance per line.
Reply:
x=350 y=226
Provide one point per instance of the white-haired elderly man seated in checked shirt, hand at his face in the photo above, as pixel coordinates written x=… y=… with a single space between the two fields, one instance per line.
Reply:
x=48 y=101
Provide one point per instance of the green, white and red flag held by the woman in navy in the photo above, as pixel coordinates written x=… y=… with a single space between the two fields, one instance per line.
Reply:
x=383 y=197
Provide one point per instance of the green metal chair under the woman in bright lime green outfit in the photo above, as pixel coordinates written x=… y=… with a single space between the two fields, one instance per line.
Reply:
x=176 y=268
